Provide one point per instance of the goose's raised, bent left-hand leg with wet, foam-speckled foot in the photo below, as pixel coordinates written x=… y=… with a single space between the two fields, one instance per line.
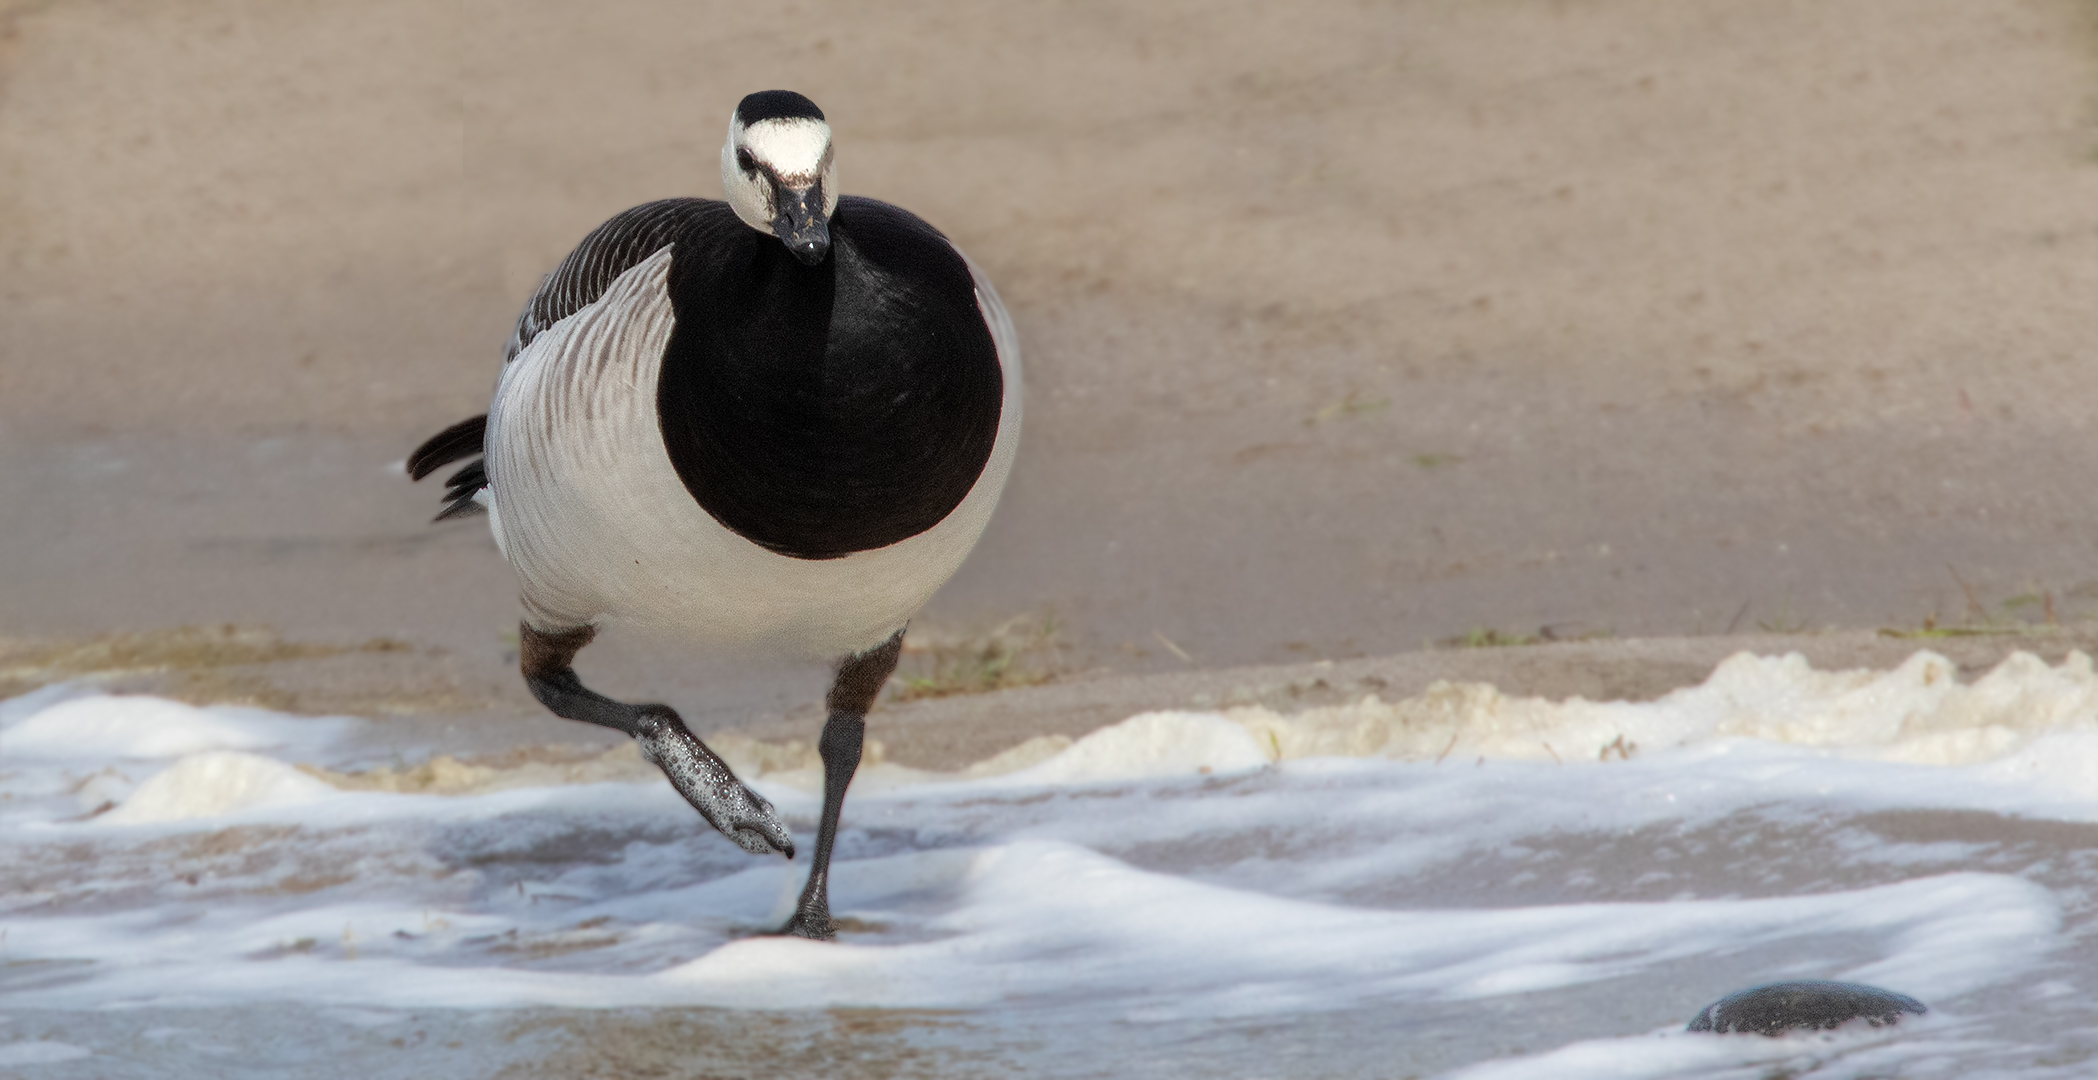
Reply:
x=698 y=773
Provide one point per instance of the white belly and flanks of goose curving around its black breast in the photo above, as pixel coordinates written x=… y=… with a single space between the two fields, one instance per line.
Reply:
x=599 y=527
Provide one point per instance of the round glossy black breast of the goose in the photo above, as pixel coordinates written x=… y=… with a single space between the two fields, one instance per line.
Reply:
x=828 y=410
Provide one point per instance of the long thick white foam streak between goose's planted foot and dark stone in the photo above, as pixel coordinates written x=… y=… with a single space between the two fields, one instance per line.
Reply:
x=1174 y=949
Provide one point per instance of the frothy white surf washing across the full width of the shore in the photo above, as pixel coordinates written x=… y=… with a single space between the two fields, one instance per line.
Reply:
x=1172 y=869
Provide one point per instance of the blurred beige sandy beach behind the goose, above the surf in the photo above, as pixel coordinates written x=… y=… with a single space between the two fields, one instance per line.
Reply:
x=1350 y=326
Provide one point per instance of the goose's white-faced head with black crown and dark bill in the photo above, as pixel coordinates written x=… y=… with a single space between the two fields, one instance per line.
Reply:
x=779 y=175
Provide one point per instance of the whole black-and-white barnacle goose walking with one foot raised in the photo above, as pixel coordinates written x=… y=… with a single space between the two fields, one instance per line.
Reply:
x=771 y=423
